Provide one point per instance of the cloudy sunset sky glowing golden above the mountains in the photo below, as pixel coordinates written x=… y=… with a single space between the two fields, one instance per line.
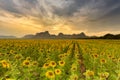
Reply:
x=94 y=17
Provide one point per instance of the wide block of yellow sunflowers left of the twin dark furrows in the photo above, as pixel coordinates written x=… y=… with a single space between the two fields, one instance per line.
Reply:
x=21 y=60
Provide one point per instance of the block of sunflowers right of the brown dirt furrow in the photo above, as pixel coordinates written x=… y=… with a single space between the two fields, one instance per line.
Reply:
x=101 y=60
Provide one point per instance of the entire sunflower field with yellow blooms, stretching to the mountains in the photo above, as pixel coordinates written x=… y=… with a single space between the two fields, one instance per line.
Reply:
x=59 y=59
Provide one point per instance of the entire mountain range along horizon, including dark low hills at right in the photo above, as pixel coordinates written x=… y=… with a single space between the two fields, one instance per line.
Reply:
x=82 y=35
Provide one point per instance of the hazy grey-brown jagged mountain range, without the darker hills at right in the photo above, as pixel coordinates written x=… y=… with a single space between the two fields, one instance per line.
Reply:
x=47 y=35
